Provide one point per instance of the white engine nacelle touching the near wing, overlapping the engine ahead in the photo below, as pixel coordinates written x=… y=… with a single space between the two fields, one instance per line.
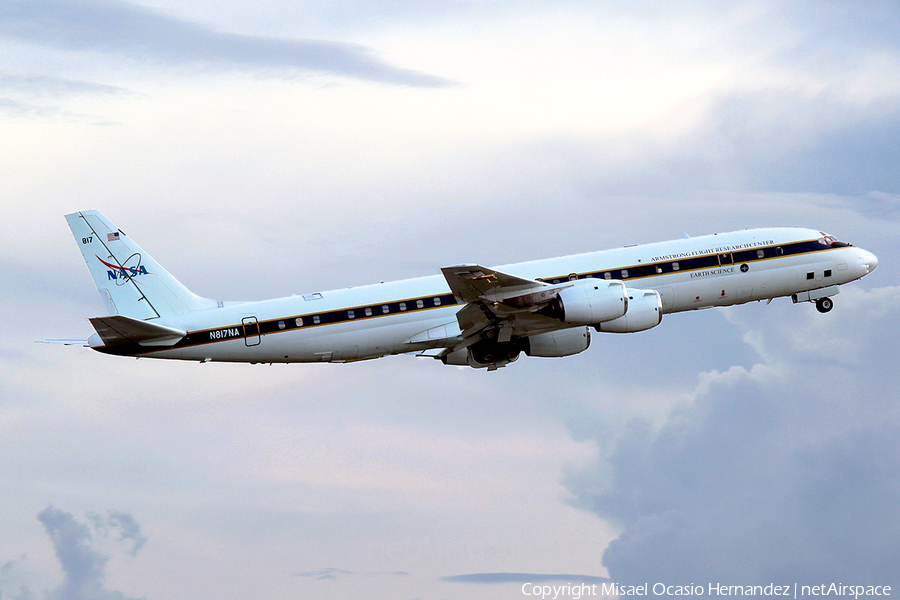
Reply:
x=589 y=301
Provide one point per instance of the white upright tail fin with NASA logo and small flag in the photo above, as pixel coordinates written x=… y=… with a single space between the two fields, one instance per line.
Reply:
x=131 y=283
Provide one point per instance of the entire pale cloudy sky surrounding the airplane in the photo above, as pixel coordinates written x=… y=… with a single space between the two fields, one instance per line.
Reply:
x=266 y=150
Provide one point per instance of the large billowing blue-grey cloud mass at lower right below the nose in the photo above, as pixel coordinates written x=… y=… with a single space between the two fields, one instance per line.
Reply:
x=787 y=471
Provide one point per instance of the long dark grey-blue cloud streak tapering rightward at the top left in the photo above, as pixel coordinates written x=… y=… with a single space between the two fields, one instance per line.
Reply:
x=132 y=31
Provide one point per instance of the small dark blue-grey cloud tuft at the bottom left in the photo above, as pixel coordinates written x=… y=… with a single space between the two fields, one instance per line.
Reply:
x=83 y=565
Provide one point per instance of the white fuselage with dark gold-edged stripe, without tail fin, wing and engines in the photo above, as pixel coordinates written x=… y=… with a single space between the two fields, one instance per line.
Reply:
x=396 y=317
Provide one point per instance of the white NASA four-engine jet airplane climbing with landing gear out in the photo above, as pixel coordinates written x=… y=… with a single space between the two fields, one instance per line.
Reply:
x=469 y=315
